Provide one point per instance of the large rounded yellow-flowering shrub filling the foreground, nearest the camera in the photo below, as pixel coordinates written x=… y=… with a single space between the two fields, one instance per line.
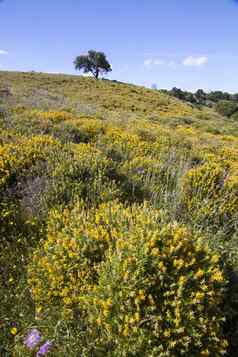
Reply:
x=138 y=286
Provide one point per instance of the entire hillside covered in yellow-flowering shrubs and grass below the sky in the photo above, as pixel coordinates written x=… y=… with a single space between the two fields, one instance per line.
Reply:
x=118 y=221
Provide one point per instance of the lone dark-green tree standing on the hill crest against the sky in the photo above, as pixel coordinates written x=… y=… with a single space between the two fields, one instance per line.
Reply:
x=94 y=62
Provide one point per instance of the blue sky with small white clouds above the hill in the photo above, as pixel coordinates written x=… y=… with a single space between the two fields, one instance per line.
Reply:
x=185 y=43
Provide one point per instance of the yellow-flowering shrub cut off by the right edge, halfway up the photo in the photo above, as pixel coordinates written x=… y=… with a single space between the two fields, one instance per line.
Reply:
x=210 y=192
